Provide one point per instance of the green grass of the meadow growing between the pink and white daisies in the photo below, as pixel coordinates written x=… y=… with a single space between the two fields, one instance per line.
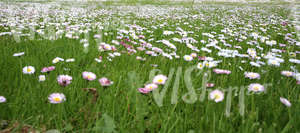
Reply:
x=120 y=107
